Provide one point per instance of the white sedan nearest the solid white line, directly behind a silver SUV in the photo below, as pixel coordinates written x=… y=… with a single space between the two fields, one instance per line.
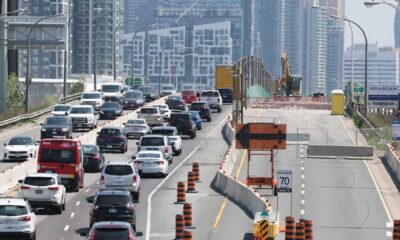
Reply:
x=151 y=162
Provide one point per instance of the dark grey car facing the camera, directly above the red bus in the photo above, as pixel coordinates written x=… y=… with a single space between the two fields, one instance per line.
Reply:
x=56 y=126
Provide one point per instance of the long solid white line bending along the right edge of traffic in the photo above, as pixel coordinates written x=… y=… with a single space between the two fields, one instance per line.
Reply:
x=148 y=225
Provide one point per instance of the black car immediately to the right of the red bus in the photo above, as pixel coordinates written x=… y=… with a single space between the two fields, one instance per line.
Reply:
x=93 y=158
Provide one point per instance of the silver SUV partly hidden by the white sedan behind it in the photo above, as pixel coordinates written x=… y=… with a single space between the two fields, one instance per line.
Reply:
x=158 y=143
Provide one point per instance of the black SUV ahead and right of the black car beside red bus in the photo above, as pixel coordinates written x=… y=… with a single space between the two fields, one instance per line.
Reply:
x=112 y=138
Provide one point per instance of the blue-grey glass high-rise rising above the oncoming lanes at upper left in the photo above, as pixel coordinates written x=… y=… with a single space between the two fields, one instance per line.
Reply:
x=93 y=36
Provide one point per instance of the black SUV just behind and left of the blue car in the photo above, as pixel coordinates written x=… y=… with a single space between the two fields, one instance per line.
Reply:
x=184 y=124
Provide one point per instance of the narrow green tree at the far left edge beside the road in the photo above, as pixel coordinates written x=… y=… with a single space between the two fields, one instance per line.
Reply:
x=15 y=97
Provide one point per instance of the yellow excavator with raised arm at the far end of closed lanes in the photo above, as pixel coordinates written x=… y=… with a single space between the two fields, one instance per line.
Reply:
x=287 y=84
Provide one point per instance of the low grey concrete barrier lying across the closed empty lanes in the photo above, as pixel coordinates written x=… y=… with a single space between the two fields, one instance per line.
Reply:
x=340 y=151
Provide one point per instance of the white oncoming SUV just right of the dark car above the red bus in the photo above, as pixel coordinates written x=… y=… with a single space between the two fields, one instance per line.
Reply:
x=83 y=116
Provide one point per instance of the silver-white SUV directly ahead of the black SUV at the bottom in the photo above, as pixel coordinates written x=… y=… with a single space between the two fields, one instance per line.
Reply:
x=121 y=175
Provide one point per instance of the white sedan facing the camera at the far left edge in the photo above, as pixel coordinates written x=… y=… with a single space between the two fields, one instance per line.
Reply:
x=20 y=148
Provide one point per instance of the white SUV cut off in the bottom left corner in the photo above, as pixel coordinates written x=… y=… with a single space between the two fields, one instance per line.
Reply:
x=16 y=219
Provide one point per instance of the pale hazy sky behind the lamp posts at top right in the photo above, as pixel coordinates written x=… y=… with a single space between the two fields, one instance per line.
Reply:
x=376 y=21
